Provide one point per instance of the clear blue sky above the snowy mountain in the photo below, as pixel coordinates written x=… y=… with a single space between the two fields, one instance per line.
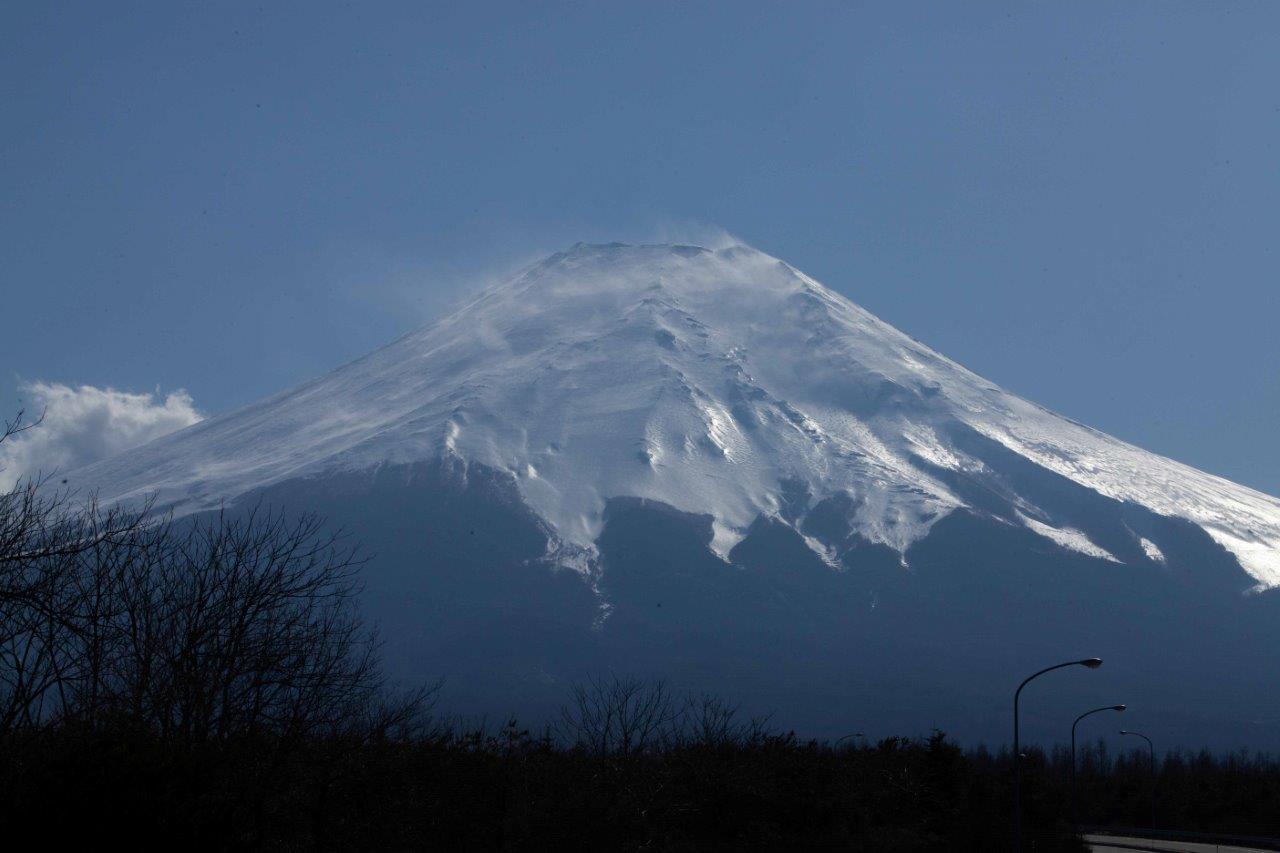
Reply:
x=1078 y=202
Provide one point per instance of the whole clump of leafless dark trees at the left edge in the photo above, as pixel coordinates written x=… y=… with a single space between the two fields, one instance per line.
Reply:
x=193 y=631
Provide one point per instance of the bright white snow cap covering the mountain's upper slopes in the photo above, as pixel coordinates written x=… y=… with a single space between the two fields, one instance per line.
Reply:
x=717 y=382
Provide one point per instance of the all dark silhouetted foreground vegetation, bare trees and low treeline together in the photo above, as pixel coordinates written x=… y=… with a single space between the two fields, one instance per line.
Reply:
x=211 y=686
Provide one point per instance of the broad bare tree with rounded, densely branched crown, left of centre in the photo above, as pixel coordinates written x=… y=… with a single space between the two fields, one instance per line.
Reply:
x=230 y=626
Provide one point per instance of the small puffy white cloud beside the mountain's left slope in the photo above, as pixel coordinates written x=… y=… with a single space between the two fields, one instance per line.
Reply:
x=85 y=425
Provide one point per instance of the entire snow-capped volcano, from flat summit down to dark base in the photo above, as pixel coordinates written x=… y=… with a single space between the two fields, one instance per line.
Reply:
x=707 y=467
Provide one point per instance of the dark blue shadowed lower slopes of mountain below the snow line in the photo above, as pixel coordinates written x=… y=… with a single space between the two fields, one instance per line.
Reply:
x=463 y=587
